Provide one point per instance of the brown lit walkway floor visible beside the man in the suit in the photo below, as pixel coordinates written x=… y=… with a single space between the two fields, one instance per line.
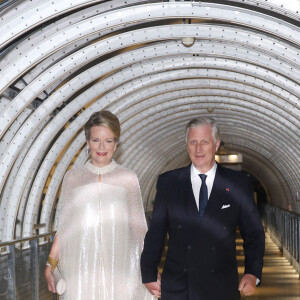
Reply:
x=280 y=280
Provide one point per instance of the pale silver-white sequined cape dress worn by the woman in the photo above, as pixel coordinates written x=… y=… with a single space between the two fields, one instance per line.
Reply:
x=100 y=234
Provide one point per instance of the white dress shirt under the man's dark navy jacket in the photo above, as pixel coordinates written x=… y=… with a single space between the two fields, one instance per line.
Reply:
x=196 y=181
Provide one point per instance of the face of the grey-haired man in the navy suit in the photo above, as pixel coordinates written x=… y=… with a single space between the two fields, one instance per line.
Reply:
x=202 y=147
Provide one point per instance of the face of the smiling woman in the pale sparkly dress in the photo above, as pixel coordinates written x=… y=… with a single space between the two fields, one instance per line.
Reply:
x=102 y=145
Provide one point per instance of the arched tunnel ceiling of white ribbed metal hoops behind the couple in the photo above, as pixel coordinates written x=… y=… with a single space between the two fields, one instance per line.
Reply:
x=156 y=65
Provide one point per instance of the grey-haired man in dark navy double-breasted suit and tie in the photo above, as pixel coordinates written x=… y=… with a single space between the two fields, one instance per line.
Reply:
x=200 y=207
